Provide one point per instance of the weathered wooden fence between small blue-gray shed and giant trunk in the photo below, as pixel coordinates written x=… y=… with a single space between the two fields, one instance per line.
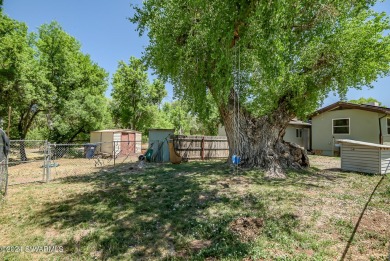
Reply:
x=201 y=147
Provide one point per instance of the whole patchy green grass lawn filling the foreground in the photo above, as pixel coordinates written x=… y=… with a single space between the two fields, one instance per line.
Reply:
x=198 y=211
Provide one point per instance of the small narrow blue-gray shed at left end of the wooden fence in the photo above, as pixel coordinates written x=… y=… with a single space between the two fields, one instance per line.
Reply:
x=159 y=138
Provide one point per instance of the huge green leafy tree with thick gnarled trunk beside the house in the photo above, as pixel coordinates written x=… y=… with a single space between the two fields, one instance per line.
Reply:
x=282 y=57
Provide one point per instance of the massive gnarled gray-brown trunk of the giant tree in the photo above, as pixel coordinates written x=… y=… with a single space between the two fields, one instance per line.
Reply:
x=259 y=141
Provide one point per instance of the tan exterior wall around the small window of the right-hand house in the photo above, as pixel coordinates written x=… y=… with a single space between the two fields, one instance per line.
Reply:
x=364 y=126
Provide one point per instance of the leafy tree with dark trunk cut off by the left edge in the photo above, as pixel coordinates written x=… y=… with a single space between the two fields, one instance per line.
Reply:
x=23 y=85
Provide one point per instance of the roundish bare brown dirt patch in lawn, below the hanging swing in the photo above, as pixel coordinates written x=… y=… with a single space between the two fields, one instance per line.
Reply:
x=247 y=228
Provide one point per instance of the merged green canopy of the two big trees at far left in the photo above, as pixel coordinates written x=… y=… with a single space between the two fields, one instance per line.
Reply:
x=45 y=77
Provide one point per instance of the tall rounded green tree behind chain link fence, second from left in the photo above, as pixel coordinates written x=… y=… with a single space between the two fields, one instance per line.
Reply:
x=77 y=104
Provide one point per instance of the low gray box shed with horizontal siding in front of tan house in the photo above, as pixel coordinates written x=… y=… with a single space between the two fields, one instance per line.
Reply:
x=364 y=156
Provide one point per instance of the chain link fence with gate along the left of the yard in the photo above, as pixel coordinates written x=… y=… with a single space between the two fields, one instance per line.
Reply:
x=41 y=161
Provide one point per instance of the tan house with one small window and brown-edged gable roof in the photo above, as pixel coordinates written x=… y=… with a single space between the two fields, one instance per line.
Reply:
x=343 y=120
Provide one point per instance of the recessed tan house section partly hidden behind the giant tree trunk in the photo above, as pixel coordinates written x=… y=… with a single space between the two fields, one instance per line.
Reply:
x=297 y=132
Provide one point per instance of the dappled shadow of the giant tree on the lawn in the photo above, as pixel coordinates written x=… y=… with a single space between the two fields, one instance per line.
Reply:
x=162 y=212
